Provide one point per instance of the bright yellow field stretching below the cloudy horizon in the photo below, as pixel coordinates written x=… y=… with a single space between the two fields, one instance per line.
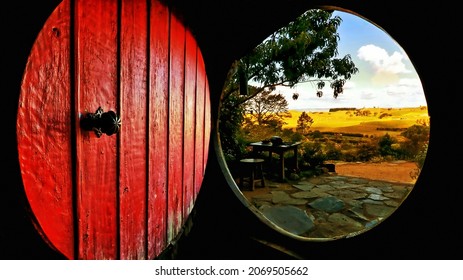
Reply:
x=346 y=121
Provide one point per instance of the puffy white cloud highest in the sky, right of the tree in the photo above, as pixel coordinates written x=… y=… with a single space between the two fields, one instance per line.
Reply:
x=381 y=61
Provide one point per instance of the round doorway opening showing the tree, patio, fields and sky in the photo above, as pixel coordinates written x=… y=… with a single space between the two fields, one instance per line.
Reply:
x=335 y=113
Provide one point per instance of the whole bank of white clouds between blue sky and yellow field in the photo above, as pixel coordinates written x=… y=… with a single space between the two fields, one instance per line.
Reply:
x=388 y=83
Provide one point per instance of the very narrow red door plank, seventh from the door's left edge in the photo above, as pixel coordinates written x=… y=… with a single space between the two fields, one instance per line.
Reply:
x=200 y=121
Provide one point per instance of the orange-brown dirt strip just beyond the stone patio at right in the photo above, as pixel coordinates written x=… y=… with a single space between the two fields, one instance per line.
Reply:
x=397 y=171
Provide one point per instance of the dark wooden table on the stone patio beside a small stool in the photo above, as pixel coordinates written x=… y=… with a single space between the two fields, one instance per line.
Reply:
x=258 y=147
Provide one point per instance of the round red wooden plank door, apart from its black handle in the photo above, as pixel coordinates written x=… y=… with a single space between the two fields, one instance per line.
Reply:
x=126 y=195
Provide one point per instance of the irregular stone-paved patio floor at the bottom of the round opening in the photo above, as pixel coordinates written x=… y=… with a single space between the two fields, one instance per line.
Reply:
x=330 y=205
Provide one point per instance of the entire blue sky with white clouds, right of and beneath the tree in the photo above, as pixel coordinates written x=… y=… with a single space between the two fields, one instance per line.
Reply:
x=386 y=76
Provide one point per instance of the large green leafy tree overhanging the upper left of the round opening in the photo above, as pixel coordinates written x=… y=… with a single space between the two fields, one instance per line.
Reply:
x=306 y=50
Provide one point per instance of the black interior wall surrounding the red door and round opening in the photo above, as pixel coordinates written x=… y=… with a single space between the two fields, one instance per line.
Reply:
x=427 y=226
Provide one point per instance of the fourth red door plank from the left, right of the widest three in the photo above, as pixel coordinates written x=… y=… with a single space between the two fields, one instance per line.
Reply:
x=158 y=132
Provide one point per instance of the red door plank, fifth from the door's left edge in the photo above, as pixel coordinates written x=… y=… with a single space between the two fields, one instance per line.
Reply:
x=176 y=111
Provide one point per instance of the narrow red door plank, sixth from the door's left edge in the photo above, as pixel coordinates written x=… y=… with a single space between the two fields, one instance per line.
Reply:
x=189 y=125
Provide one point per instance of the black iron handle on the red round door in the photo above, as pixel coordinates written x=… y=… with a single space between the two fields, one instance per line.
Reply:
x=101 y=122
